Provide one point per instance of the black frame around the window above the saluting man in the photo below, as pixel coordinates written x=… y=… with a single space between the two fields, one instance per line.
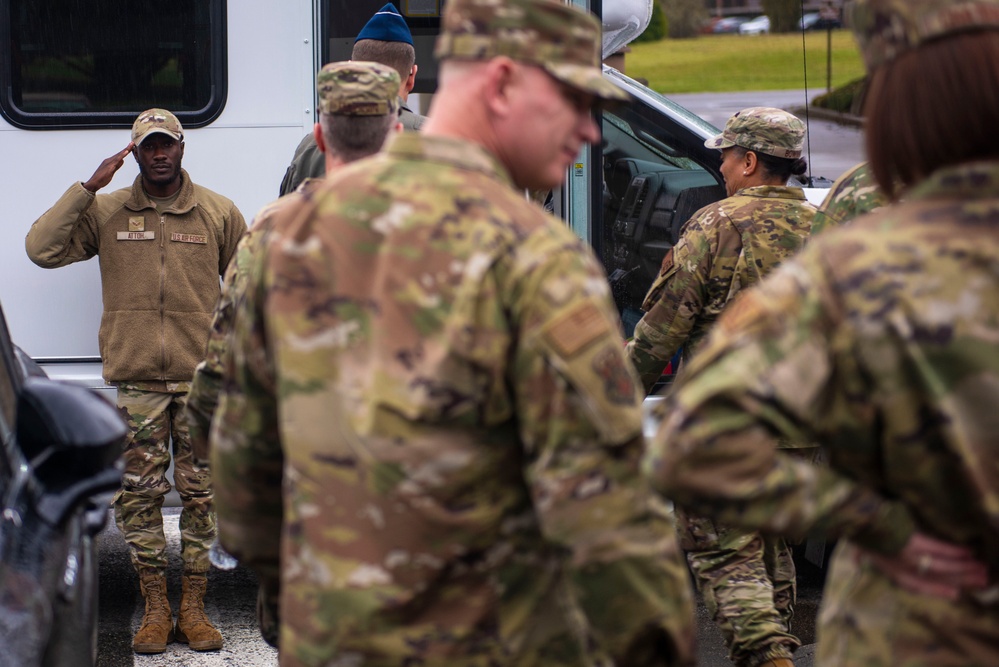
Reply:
x=120 y=118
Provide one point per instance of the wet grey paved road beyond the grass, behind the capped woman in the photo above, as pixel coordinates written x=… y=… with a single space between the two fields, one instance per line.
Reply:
x=832 y=148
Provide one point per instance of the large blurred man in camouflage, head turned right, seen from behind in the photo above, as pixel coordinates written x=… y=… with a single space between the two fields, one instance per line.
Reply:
x=431 y=371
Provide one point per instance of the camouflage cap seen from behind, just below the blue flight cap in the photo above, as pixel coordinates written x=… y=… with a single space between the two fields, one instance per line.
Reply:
x=358 y=88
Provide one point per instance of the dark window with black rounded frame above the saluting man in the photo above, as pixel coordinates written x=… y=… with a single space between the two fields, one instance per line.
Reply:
x=73 y=63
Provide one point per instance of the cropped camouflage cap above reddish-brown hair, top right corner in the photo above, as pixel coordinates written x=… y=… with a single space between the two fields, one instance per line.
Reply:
x=887 y=28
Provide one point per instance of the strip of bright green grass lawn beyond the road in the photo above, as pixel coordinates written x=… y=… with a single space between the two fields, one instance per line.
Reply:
x=730 y=63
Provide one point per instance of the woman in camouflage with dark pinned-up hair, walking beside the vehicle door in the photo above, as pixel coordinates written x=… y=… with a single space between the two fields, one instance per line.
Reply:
x=747 y=579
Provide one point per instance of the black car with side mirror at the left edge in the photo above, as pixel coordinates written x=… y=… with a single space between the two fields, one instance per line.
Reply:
x=59 y=451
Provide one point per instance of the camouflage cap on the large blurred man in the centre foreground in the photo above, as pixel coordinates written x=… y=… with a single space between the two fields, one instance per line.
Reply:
x=561 y=39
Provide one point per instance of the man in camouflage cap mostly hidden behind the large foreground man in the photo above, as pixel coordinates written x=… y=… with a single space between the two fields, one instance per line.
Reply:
x=358 y=105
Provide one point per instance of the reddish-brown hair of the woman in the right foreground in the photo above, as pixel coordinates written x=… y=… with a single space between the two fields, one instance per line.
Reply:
x=932 y=107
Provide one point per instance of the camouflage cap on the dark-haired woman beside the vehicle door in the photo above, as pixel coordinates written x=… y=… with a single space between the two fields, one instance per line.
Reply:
x=763 y=130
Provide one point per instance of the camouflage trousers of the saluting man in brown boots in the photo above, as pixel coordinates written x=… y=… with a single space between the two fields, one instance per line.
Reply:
x=155 y=418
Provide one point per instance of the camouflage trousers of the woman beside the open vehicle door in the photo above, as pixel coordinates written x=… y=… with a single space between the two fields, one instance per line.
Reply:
x=748 y=584
